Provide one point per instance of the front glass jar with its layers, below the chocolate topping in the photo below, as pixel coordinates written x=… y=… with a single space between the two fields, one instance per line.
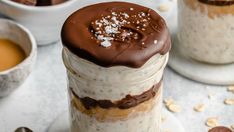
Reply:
x=114 y=99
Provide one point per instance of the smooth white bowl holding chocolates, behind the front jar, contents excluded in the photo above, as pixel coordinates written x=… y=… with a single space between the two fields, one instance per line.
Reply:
x=45 y=22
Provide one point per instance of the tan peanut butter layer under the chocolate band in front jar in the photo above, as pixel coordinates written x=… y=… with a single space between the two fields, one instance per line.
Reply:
x=114 y=114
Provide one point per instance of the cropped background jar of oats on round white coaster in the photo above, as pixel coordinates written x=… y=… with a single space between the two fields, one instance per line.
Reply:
x=206 y=30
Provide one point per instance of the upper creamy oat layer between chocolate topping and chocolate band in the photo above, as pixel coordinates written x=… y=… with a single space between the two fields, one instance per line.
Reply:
x=112 y=83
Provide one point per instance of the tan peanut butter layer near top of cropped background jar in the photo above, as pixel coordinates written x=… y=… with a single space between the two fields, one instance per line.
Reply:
x=213 y=9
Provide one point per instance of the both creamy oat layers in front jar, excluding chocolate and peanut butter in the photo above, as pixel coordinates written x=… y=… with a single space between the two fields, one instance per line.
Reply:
x=114 y=83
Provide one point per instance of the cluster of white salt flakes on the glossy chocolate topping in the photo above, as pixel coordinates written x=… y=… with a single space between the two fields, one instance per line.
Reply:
x=109 y=28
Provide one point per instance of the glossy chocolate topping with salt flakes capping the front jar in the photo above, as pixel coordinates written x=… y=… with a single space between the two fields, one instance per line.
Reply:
x=116 y=33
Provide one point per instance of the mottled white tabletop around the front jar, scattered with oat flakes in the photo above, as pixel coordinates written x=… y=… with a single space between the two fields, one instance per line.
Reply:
x=43 y=97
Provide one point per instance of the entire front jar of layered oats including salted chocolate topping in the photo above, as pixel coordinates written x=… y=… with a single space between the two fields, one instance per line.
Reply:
x=115 y=54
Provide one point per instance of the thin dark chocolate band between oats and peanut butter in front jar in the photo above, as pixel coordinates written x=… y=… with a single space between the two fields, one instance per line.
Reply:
x=127 y=102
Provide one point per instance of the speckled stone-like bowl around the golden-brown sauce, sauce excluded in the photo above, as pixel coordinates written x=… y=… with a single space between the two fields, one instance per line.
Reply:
x=12 y=78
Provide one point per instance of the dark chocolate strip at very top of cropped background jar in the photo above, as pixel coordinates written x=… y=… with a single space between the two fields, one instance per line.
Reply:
x=218 y=2
